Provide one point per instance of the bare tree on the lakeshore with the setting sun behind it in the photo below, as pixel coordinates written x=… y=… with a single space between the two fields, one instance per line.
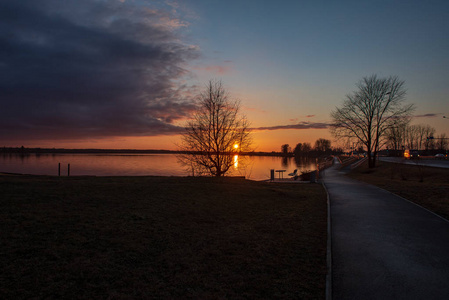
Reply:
x=216 y=133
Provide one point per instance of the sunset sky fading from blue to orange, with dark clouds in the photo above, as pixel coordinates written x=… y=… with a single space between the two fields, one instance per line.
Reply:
x=124 y=73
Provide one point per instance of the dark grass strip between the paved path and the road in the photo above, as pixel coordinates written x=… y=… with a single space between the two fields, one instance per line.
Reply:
x=426 y=186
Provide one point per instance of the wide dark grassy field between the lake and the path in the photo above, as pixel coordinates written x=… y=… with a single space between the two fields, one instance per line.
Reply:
x=160 y=237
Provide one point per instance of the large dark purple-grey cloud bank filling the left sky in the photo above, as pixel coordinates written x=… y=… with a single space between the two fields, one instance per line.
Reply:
x=86 y=68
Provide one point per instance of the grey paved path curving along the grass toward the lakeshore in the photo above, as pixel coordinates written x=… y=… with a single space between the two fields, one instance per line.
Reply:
x=384 y=247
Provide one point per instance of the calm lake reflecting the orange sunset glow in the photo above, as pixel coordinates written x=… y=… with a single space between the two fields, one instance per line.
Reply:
x=255 y=167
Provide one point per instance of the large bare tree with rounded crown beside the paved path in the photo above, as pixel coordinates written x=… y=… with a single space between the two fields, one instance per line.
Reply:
x=367 y=113
